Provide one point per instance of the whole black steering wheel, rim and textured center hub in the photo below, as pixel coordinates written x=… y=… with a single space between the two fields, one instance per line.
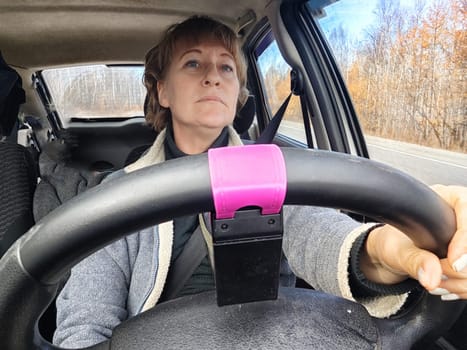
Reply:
x=33 y=267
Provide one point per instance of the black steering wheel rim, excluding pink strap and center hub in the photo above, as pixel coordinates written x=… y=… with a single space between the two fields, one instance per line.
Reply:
x=33 y=267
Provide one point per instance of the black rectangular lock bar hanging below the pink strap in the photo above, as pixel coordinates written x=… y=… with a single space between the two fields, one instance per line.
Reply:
x=247 y=256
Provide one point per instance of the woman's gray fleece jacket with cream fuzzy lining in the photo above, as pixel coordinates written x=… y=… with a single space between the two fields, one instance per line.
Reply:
x=128 y=276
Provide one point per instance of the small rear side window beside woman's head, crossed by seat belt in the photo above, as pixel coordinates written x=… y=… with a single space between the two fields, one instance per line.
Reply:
x=275 y=74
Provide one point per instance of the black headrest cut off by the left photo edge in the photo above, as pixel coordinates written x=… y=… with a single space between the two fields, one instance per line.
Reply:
x=11 y=97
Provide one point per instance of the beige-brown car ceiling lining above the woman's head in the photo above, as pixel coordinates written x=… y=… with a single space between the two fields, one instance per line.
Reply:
x=38 y=33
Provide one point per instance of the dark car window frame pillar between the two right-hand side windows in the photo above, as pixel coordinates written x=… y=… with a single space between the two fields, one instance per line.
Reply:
x=332 y=104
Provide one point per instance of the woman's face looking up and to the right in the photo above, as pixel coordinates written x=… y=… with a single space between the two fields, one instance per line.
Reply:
x=201 y=88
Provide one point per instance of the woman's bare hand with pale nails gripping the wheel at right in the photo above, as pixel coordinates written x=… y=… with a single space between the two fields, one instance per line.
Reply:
x=390 y=256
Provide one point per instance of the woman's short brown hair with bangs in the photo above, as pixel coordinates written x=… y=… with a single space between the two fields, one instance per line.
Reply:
x=157 y=62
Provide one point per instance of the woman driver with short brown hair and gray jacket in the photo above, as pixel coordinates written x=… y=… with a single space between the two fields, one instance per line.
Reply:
x=196 y=79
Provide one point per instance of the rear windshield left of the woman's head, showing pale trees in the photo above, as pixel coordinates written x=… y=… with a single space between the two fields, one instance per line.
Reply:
x=96 y=92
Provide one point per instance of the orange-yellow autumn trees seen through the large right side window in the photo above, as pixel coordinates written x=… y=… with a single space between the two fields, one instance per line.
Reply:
x=409 y=80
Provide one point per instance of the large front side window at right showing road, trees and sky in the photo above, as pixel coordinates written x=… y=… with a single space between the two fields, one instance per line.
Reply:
x=404 y=66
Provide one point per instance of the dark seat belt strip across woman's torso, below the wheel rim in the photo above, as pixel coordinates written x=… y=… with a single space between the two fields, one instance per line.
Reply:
x=183 y=267
